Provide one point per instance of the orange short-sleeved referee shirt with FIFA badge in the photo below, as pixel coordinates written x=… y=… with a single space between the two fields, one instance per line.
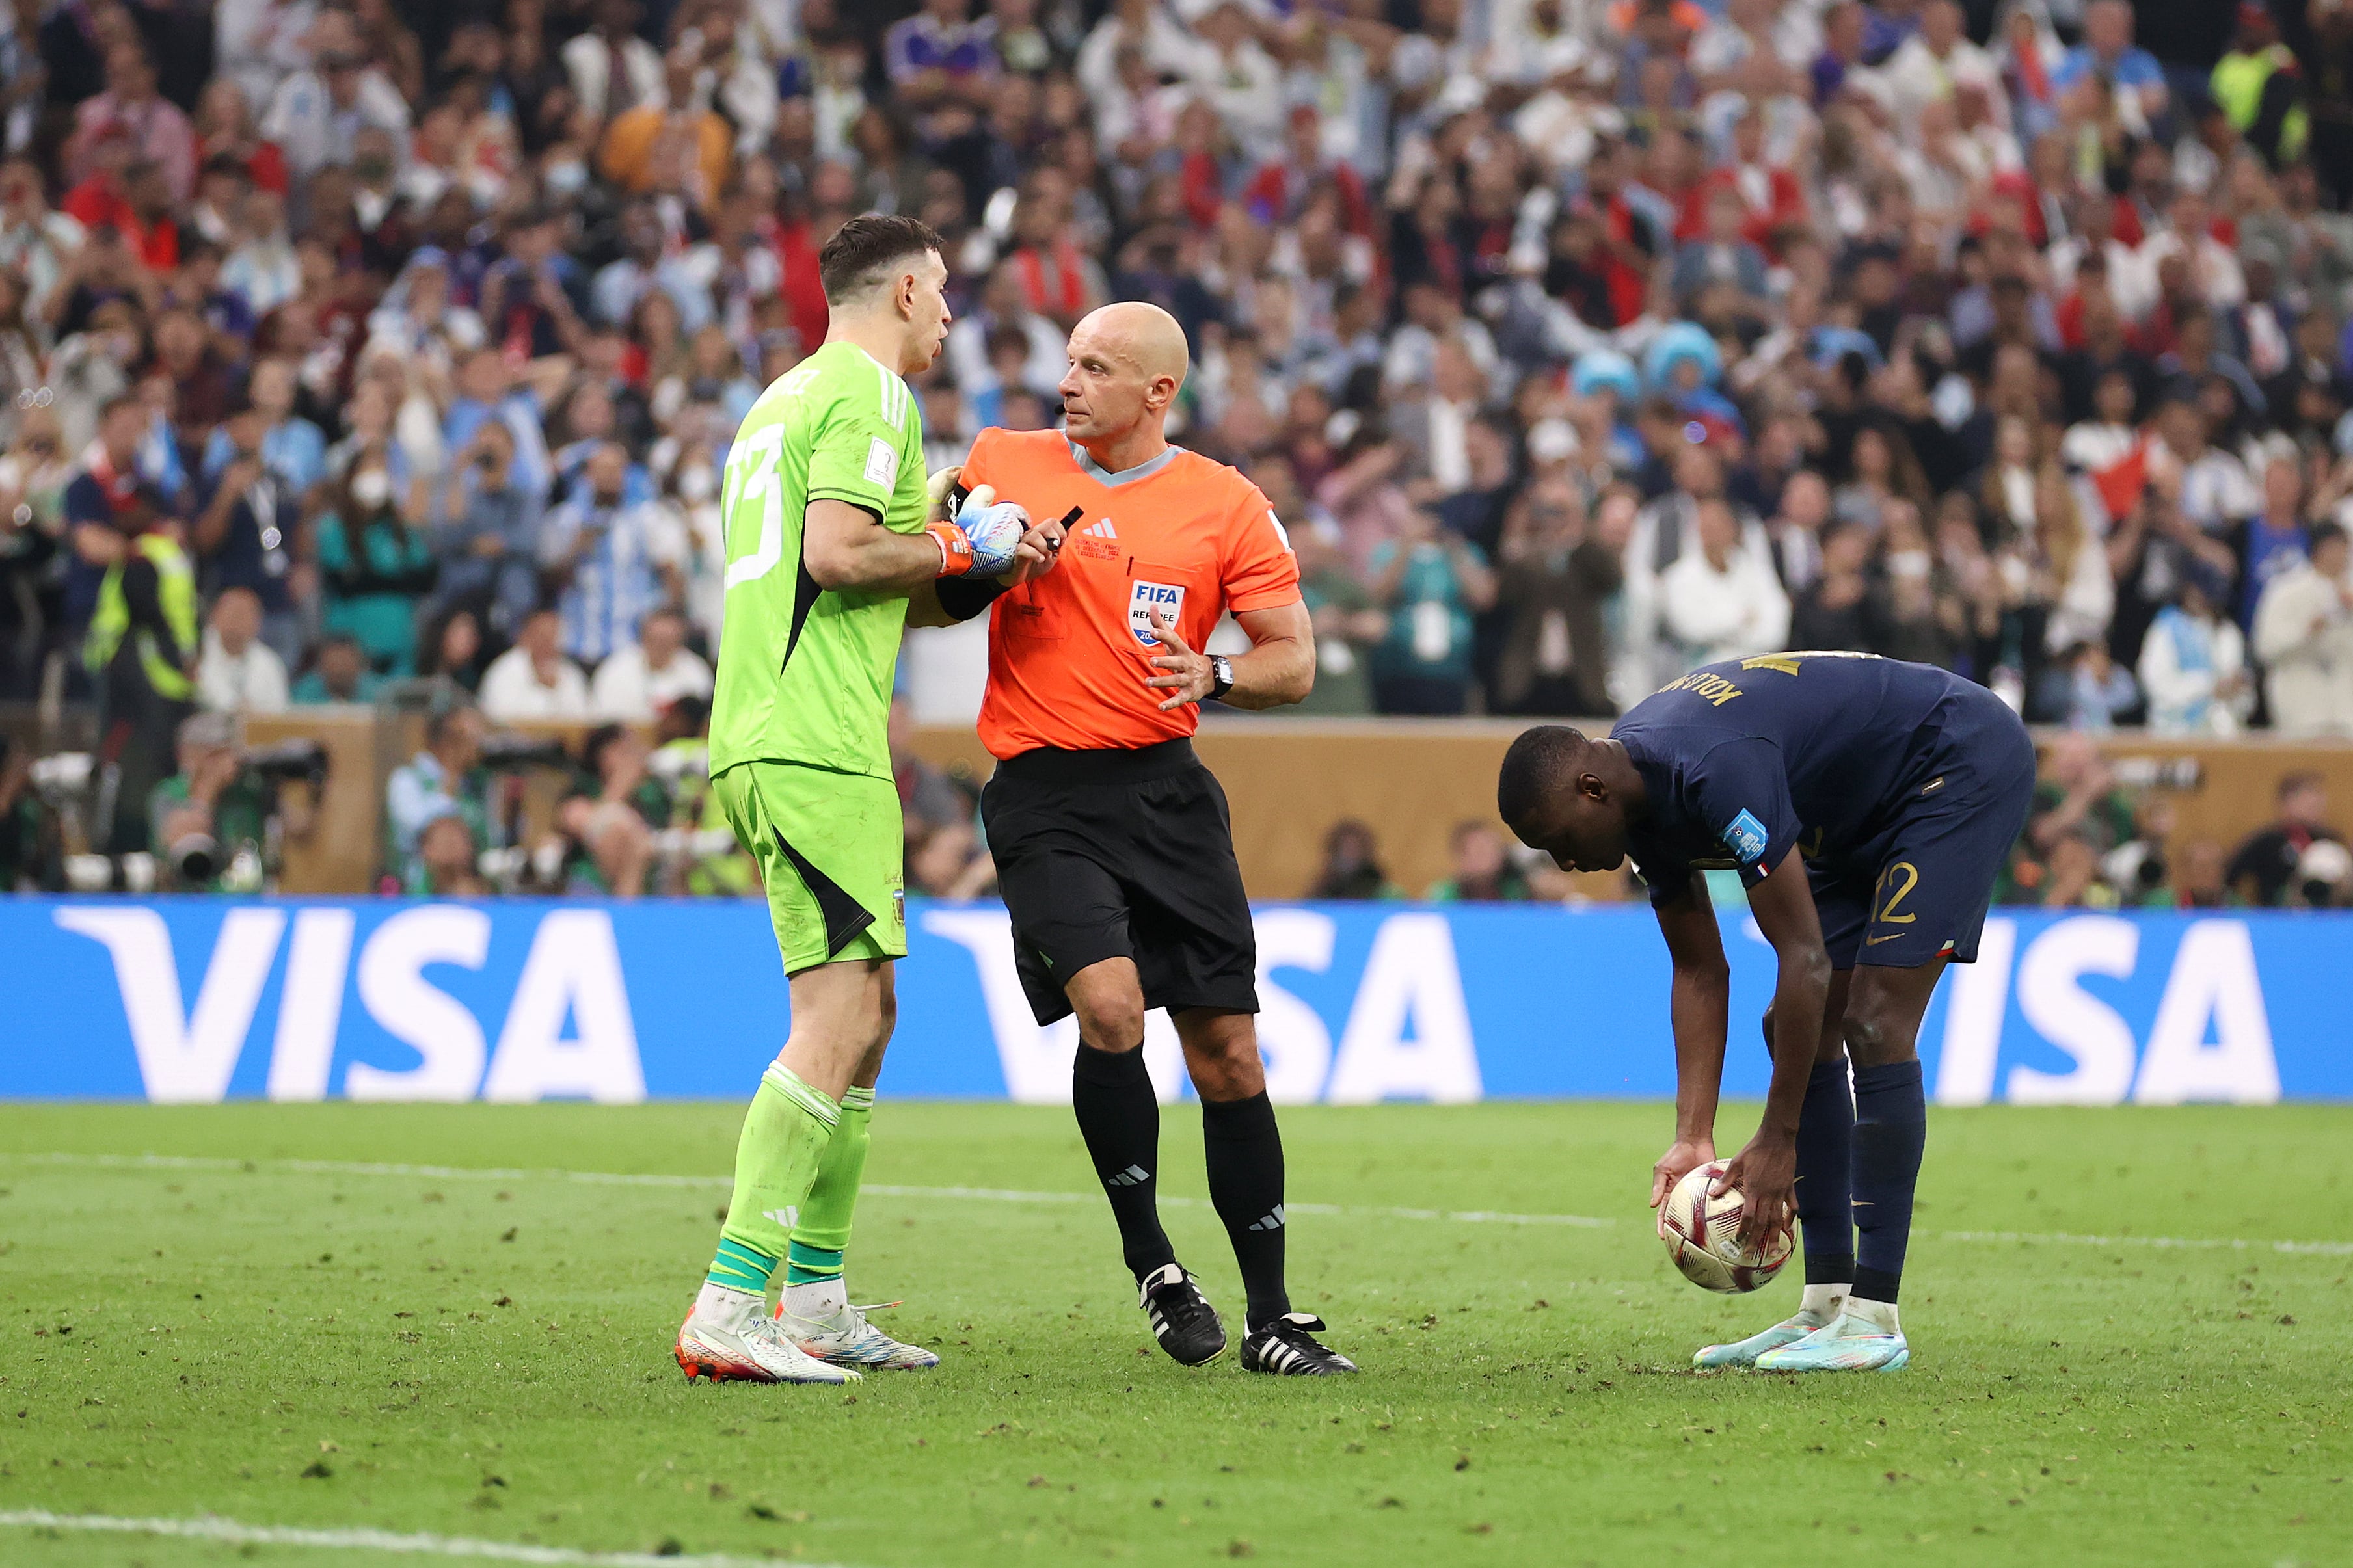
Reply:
x=1069 y=652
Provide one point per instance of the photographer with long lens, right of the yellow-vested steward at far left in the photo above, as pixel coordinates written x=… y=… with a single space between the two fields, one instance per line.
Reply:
x=218 y=822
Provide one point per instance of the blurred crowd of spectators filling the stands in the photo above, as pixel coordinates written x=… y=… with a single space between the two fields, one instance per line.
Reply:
x=1578 y=342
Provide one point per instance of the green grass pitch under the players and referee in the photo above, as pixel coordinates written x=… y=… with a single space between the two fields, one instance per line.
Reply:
x=255 y=1327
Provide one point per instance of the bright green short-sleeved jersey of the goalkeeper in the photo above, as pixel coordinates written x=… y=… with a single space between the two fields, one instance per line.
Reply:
x=804 y=671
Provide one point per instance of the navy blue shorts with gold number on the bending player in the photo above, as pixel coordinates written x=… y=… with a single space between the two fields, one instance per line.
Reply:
x=1926 y=880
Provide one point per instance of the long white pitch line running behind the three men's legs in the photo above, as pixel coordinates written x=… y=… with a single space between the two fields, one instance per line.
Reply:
x=1011 y=1195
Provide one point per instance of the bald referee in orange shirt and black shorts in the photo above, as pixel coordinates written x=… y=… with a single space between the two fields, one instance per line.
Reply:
x=1112 y=838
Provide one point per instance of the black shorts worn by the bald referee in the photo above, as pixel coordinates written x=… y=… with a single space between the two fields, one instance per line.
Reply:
x=1121 y=855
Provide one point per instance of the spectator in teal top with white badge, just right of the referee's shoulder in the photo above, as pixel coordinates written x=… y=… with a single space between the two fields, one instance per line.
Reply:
x=1432 y=584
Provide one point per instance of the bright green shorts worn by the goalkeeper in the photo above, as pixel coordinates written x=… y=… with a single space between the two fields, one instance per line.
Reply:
x=832 y=852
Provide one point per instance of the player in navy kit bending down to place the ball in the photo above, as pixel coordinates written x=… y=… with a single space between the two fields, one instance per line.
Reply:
x=1867 y=805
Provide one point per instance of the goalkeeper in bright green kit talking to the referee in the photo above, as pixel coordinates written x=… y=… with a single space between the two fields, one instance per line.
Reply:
x=834 y=547
